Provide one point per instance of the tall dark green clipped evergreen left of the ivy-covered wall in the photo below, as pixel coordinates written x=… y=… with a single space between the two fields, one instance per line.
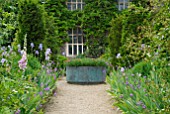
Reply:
x=31 y=22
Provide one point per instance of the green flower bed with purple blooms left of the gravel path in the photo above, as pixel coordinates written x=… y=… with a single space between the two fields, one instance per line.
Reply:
x=26 y=90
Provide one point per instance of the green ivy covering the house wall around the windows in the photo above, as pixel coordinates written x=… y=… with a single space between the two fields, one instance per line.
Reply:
x=93 y=19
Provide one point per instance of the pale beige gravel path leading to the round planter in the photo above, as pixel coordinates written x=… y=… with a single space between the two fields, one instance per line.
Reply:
x=80 y=99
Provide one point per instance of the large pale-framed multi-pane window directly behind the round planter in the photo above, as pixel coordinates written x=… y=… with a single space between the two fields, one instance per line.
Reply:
x=75 y=45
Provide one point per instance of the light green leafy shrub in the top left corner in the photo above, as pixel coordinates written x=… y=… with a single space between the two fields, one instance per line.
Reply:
x=8 y=24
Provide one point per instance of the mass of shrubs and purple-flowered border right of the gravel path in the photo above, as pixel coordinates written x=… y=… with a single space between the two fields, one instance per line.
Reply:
x=144 y=87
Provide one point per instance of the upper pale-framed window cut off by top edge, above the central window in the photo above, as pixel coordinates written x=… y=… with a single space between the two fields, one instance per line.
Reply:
x=75 y=4
